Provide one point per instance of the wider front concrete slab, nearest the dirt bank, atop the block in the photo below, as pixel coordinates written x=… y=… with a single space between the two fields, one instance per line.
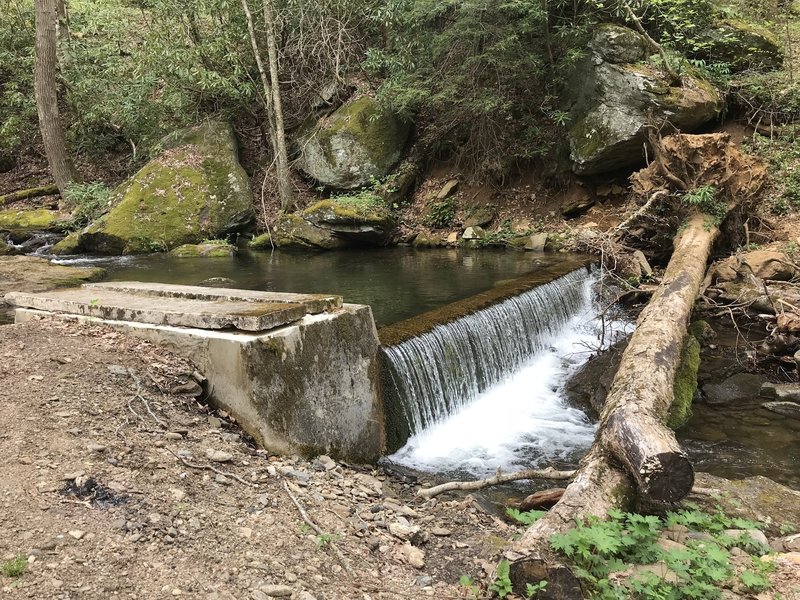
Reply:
x=163 y=310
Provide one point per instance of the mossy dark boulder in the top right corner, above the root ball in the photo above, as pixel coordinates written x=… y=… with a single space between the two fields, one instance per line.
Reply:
x=743 y=46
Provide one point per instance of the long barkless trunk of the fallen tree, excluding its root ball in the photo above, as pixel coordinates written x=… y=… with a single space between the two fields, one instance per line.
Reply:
x=631 y=424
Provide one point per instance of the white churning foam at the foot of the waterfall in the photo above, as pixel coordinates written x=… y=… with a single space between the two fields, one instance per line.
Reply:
x=521 y=422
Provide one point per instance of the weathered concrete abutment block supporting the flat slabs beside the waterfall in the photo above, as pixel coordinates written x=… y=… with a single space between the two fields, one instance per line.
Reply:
x=309 y=387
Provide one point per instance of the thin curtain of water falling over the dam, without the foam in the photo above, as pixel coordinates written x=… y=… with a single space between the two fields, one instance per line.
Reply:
x=440 y=372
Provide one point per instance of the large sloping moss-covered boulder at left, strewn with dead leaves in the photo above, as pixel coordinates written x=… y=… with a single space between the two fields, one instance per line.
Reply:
x=193 y=191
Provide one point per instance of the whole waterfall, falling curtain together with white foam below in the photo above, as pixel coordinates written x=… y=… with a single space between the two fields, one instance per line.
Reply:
x=486 y=391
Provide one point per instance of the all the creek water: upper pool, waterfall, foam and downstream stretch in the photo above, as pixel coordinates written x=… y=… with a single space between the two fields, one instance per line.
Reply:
x=487 y=390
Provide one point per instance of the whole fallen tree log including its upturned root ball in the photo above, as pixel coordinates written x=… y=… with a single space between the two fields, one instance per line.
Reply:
x=635 y=458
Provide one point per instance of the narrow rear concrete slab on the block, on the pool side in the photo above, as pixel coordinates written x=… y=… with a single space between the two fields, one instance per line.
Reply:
x=314 y=303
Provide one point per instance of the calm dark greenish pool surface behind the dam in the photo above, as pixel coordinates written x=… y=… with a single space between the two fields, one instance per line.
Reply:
x=397 y=283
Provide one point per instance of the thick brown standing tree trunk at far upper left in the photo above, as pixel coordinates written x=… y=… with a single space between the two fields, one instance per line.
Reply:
x=45 y=85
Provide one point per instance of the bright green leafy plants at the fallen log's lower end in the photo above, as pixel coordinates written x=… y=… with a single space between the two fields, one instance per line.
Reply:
x=605 y=552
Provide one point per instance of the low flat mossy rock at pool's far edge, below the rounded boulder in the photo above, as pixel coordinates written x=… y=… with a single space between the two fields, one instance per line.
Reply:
x=370 y=223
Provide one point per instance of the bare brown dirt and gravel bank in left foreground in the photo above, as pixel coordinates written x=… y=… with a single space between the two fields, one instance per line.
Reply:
x=108 y=491
